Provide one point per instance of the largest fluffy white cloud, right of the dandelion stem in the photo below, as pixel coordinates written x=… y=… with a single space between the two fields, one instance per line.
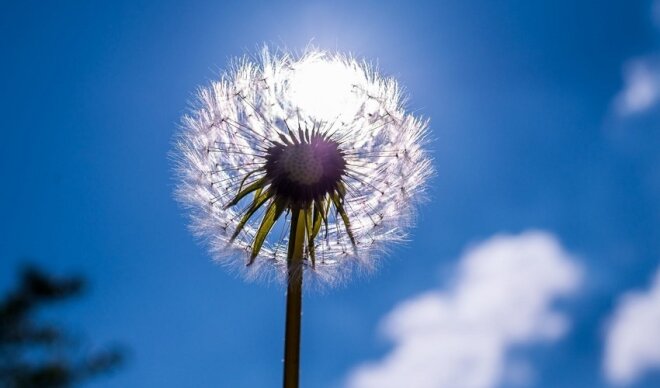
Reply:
x=504 y=294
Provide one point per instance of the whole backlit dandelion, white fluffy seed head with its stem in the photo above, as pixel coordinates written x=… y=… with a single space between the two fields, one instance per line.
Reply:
x=297 y=166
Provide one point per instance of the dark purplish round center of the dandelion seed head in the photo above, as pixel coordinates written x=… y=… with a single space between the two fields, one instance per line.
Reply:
x=305 y=171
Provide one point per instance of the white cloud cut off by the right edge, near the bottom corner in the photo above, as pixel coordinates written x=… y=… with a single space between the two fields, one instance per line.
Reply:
x=633 y=337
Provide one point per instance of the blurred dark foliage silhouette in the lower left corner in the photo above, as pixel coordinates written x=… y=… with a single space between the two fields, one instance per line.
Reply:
x=35 y=353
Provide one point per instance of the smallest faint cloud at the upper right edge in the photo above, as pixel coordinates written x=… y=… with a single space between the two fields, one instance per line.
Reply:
x=642 y=87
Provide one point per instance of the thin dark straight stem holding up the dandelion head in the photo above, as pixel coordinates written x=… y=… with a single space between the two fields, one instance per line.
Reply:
x=294 y=298
